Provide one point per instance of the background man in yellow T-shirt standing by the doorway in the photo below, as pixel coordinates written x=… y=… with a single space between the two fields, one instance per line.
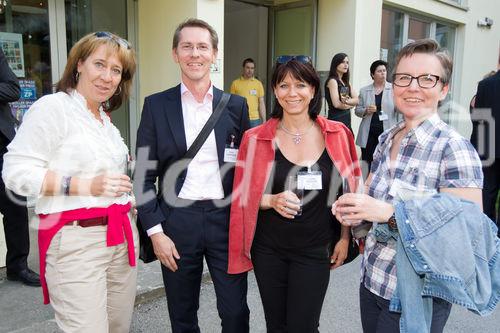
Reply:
x=251 y=88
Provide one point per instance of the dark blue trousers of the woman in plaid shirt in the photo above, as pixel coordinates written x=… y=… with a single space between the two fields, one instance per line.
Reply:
x=376 y=317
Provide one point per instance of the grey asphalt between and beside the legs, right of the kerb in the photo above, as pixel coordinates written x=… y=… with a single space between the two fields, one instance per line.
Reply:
x=340 y=311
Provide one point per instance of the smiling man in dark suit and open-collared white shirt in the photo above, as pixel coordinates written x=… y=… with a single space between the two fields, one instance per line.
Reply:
x=187 y=218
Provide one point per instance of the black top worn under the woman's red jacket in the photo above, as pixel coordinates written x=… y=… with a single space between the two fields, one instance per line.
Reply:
x=314 y=227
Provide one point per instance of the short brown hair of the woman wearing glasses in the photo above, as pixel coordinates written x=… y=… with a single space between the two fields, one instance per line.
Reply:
x=428 y=46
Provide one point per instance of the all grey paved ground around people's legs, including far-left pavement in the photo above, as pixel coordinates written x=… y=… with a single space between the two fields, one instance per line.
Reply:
x=21 y=308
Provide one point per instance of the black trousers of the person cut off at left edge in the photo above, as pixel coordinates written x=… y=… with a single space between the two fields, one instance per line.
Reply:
x=16 y=228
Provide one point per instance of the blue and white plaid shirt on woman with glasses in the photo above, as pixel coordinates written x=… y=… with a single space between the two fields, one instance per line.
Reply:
x=431 y=156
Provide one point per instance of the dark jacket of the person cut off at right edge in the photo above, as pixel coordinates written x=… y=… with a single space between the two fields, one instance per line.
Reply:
x=488 y=96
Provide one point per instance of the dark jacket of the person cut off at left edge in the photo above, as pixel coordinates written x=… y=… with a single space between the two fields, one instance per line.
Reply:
x=9 y=92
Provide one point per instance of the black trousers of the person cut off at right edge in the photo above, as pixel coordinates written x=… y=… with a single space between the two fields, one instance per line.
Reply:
x=491 y=186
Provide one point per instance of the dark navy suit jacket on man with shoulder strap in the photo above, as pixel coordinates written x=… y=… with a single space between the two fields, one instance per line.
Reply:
x=161 y=139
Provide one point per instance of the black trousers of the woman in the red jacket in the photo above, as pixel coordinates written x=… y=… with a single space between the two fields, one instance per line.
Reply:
x=292 y=286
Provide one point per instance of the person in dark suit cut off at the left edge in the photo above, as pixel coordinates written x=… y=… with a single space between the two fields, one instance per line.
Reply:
x=15 y=215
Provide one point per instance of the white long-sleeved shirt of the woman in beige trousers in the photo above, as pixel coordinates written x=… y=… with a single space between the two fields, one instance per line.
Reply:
x=59 y=133
